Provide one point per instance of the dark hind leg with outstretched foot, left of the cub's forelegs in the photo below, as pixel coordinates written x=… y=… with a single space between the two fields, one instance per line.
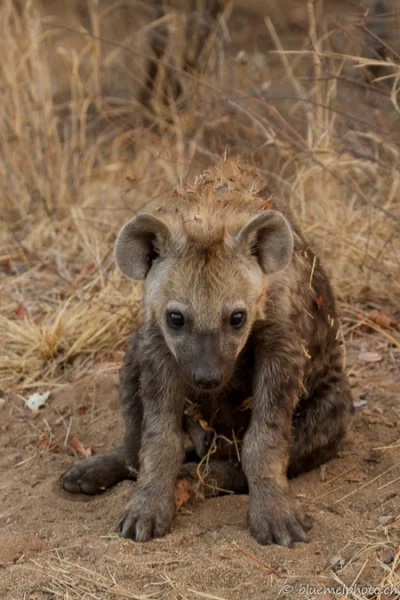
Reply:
x=97 y=473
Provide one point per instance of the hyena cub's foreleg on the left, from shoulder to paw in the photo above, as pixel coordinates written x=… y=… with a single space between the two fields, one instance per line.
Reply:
x=152 y=508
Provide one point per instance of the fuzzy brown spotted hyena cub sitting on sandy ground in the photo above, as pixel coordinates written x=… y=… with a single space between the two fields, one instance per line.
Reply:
x=236 y=306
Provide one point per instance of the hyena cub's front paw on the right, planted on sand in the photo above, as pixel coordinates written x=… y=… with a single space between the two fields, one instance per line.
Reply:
x=275 y=518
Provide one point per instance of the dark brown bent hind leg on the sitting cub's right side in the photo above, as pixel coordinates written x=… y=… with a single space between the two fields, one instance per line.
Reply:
x=320 y=423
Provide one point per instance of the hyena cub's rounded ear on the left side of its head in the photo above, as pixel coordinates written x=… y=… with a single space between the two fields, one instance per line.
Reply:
x=139 y=243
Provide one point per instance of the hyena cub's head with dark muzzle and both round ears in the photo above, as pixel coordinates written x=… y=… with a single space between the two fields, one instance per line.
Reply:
x=204 y=287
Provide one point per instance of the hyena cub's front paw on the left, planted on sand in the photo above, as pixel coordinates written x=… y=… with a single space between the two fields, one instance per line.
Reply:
x=146 y=517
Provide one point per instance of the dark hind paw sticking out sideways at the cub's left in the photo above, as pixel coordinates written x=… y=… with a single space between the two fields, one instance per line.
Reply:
x=96 y=474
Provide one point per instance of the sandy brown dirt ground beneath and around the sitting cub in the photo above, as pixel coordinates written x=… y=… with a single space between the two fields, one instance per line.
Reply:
x=54 y=544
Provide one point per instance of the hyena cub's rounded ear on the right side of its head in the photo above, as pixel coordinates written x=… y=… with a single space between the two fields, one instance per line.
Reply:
x=269 y=237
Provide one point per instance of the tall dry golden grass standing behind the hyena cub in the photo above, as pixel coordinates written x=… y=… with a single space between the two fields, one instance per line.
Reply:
x=76 y=159
